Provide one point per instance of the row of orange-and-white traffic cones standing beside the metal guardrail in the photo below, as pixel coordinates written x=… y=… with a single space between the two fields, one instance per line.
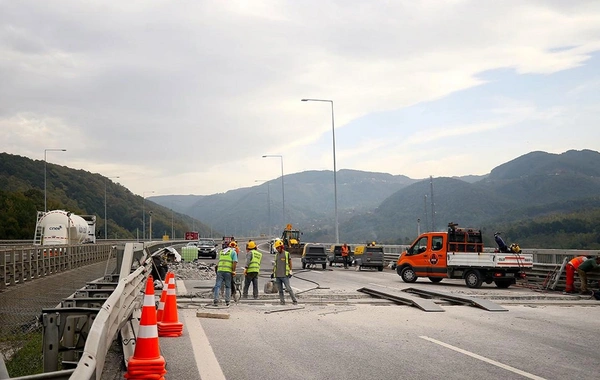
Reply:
x=147 y=362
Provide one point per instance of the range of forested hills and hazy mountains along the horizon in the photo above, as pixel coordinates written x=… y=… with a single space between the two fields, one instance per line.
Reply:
x=541 y=199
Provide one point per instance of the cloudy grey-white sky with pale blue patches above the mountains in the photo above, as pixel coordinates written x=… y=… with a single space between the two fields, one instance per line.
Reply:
x=185 y=97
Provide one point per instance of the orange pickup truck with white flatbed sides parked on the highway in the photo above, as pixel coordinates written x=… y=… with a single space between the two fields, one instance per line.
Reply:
x=458 y=254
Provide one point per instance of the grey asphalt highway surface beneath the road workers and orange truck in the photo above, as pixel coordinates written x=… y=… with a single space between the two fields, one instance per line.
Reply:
x=338 y=333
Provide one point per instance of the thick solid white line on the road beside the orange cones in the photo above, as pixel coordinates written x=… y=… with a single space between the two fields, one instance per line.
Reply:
x=203 y=352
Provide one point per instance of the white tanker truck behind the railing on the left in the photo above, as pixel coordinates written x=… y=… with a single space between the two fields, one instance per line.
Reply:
x=62 y=227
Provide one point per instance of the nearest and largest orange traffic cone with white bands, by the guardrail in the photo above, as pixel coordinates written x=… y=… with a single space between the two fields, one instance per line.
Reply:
x=146 y=362
